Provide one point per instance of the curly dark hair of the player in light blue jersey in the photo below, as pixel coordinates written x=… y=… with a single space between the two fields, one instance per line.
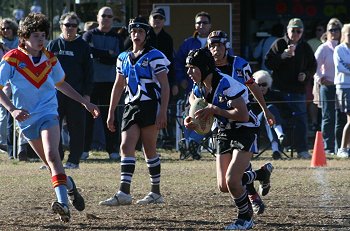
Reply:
x=34 y=22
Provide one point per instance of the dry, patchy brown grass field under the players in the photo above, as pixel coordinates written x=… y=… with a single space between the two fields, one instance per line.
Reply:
x=301 y=198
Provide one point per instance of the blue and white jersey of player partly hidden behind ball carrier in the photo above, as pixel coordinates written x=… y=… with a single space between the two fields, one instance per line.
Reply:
x=241 y=70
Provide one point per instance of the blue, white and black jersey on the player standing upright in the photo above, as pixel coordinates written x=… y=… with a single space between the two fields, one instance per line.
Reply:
x=142 y=83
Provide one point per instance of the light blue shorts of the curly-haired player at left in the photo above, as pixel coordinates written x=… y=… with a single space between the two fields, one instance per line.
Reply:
x=32 y=132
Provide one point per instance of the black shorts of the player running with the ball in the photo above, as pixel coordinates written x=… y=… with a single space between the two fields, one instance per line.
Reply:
x=243 y=138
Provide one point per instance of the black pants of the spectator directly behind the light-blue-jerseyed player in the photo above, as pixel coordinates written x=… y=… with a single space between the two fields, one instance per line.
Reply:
x=74 y=113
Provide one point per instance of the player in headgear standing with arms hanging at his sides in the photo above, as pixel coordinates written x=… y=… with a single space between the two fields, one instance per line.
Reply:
x=142 y=71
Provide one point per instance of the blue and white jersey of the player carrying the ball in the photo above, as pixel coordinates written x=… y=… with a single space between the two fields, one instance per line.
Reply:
x=228 y=89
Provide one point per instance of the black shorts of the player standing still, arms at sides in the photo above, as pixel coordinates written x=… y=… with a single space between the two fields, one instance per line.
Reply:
x=143 y=114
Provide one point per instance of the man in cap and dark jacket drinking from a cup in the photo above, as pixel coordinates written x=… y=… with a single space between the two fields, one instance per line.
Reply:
x=293 y=63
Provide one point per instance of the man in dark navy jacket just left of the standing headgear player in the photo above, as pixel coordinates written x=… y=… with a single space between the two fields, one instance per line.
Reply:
x=105 y=45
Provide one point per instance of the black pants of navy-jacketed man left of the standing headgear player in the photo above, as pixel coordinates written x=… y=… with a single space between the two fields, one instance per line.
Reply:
x=101 y=97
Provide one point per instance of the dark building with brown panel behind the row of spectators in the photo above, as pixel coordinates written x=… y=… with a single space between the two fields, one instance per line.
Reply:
x=246 y=21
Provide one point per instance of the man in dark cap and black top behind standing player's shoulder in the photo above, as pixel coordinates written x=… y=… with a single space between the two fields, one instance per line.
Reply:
x=161 y=40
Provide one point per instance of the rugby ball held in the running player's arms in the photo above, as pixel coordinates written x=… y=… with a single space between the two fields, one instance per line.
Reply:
x=203 y=125
